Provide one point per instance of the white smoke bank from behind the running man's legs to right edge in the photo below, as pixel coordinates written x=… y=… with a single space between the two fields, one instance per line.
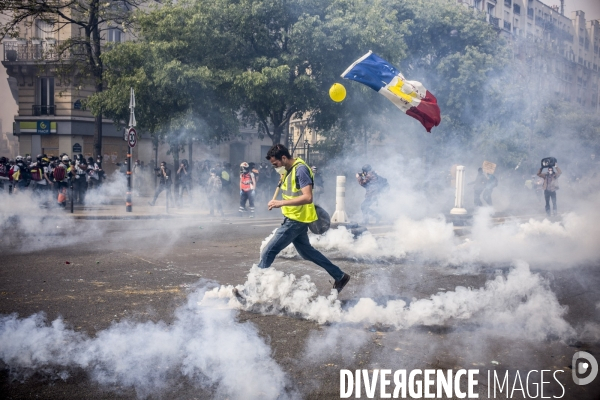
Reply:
x=543 y=243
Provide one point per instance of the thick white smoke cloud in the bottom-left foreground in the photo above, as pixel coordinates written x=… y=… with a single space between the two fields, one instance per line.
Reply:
x=206 y=345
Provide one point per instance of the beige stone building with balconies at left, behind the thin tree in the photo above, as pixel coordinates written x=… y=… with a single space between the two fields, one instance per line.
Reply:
x=51 y=119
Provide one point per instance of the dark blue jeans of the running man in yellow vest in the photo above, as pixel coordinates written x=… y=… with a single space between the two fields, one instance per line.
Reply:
x=296 y=232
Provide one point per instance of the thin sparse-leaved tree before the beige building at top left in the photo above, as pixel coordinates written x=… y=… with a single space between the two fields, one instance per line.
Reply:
x=80 y=54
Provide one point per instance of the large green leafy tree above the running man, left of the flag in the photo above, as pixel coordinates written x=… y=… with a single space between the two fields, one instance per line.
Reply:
x=271 y=60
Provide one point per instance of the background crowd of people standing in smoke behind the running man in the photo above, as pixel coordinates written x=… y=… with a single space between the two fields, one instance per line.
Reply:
x=51 y=177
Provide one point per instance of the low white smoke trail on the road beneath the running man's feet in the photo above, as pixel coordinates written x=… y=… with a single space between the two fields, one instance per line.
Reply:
x=519 y=304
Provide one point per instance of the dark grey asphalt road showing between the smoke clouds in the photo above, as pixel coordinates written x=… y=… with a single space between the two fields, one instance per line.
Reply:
x=93 y=274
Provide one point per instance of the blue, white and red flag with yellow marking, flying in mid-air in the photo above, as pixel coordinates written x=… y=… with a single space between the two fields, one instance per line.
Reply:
x=409 y=96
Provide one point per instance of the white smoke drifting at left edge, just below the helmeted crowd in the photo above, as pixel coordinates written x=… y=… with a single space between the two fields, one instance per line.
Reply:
x=36 y=222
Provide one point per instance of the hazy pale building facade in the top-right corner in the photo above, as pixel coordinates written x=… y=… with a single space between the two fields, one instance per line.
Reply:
x=563 y=49
